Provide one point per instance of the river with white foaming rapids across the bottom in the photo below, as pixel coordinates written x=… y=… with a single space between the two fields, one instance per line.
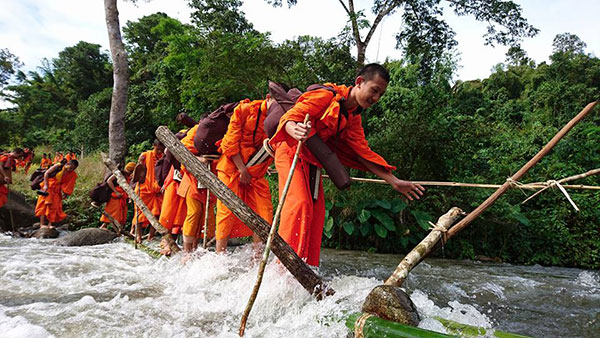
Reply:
x=114 y=290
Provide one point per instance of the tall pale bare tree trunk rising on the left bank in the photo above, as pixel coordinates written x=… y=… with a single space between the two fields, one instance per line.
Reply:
x=116 y=125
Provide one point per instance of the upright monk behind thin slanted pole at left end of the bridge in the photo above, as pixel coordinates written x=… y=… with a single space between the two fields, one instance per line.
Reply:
x=149 y=191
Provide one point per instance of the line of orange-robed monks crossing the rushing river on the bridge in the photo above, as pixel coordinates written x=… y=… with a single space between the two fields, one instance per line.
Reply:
x=181 y=203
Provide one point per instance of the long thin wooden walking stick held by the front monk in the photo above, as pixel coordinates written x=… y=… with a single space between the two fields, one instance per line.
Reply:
x=263 y=263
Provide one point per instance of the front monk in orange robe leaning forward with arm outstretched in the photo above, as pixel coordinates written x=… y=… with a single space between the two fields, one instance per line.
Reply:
x=302 y=217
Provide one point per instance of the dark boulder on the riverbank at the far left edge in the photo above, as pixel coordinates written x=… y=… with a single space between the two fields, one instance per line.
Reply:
x=23 y=214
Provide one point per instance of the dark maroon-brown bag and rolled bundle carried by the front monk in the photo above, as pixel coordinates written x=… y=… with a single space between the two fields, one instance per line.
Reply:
x=285 y=99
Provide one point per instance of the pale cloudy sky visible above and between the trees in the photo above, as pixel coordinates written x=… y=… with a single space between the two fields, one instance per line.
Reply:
x=38 y=29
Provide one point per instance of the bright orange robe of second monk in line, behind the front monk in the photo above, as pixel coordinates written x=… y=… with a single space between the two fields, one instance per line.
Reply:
x=241 y=139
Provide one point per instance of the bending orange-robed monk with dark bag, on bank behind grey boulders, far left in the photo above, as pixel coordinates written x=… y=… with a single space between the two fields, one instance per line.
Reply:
x=49 y=207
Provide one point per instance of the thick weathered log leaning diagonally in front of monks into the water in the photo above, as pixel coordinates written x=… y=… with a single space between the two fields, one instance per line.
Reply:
x=298 y=268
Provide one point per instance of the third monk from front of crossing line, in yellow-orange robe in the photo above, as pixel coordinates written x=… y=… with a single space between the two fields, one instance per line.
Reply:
x=195 y=200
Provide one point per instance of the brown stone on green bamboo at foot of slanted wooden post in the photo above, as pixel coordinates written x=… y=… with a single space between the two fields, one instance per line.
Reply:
x=391 y=303
